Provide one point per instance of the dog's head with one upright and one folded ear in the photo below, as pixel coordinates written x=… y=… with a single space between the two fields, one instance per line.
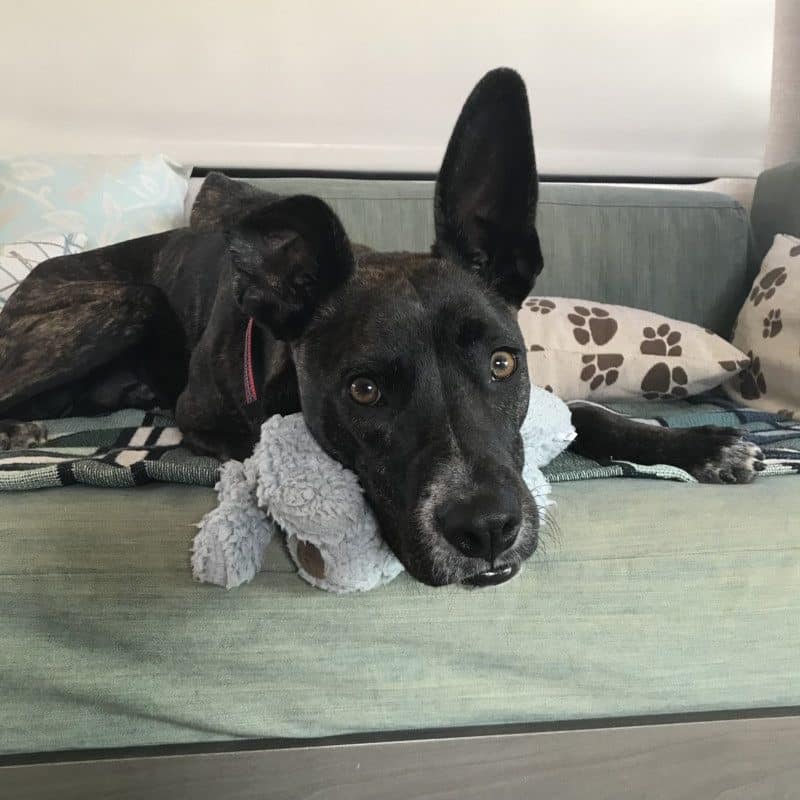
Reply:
x=411 y=368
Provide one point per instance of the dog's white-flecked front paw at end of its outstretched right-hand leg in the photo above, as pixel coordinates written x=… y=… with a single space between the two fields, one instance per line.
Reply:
x=723 y=455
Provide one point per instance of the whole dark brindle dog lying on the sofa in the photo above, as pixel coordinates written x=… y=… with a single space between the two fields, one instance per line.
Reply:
x=409 y=368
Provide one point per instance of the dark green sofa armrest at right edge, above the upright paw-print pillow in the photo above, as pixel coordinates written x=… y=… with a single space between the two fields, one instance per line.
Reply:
x=776 y=206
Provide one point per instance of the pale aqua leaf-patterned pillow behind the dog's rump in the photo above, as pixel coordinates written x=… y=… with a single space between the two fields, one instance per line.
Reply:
x=110 y=198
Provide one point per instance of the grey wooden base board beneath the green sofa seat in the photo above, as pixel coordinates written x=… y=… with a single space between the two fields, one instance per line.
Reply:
x=745 y=757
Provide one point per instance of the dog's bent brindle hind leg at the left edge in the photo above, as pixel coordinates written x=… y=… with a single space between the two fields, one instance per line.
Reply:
x=53 y=336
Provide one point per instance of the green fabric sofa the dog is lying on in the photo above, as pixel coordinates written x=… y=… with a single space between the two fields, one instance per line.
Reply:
x=655 y=598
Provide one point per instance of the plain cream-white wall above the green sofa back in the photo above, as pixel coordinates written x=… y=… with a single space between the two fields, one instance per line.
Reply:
x=618 y=87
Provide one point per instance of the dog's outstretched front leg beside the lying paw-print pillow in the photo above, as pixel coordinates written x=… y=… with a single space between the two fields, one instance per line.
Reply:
x=711 y=454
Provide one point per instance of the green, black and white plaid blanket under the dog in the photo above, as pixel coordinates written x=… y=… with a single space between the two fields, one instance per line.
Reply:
x=130 y=448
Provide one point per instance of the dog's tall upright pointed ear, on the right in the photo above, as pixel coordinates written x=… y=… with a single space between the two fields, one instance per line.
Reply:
x=487 y=188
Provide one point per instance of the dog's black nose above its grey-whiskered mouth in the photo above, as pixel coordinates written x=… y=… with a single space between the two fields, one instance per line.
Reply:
x=482 y=525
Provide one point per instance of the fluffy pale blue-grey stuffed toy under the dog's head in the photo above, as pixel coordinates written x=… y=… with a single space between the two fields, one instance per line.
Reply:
x=331 y=532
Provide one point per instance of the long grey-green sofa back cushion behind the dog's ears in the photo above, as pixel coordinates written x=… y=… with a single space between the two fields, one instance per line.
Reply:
x=679 y=252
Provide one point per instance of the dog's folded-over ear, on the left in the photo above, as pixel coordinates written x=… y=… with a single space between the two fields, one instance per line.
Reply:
x=287 y=258
